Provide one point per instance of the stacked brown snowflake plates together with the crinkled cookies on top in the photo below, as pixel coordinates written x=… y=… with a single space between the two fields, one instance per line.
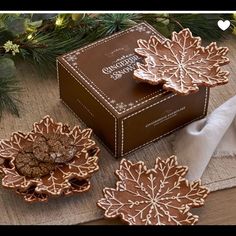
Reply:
x=51 y=160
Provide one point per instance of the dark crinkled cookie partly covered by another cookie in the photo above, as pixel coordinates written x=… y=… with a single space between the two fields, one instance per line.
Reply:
x=27 y=165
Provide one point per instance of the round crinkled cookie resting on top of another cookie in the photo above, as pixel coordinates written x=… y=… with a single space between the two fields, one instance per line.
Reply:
x=54 y=148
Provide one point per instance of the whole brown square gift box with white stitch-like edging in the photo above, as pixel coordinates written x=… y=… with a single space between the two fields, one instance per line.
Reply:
x=96 y=83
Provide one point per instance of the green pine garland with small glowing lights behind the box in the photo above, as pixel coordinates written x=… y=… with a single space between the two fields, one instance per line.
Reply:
x=40 y=38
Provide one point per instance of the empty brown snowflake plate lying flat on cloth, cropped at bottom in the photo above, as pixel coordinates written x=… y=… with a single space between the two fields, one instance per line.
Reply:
x=157 y=196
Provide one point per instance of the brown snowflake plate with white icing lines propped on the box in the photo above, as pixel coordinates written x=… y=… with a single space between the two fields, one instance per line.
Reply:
x=181 y=64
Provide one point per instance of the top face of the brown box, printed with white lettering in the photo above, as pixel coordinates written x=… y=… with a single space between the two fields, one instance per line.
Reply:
x=106 y=68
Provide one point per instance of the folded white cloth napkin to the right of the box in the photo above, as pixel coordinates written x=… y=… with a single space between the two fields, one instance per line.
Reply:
x=207 y=138
